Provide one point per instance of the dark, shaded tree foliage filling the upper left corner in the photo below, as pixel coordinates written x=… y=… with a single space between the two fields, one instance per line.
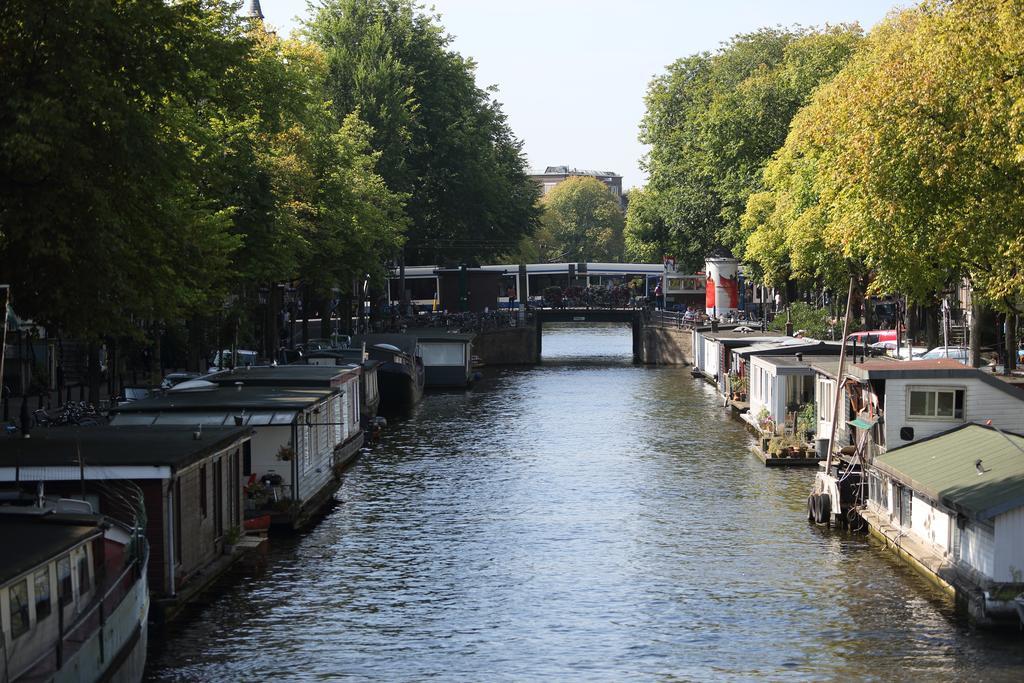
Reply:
x=101 y=222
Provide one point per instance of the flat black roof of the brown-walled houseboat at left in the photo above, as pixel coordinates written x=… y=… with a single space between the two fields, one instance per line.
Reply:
x=114 y=447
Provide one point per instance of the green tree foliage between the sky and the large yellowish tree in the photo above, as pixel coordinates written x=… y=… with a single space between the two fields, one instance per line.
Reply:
x=713 y=121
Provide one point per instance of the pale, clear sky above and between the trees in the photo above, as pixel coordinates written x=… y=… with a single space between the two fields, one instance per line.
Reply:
x=572 y=74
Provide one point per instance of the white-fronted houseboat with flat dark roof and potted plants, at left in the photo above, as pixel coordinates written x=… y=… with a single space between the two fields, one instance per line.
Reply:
x=303 y=439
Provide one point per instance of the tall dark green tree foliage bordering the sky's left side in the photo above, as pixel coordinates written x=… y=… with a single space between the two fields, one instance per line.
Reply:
x=444 y=142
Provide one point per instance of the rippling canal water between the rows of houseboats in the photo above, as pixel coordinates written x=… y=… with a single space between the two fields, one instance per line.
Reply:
x=586 y=520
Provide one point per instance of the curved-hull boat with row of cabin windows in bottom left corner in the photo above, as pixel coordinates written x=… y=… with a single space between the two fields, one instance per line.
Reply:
x=73 y=592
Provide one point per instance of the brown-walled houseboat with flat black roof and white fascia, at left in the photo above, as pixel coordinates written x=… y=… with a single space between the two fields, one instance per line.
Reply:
x=187 y=482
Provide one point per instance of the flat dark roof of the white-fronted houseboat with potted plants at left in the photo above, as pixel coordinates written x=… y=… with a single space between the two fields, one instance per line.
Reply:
x=231 y=398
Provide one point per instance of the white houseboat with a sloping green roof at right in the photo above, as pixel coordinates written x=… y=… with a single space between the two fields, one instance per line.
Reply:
x=953 y=506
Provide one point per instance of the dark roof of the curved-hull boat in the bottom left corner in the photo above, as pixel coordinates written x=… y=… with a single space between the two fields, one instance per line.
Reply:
x=31 y=541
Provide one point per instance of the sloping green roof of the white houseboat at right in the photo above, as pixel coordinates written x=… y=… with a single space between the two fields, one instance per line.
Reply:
x=946 y=468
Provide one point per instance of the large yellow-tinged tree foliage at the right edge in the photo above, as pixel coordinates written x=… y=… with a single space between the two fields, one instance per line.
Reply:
x=911 y=159
